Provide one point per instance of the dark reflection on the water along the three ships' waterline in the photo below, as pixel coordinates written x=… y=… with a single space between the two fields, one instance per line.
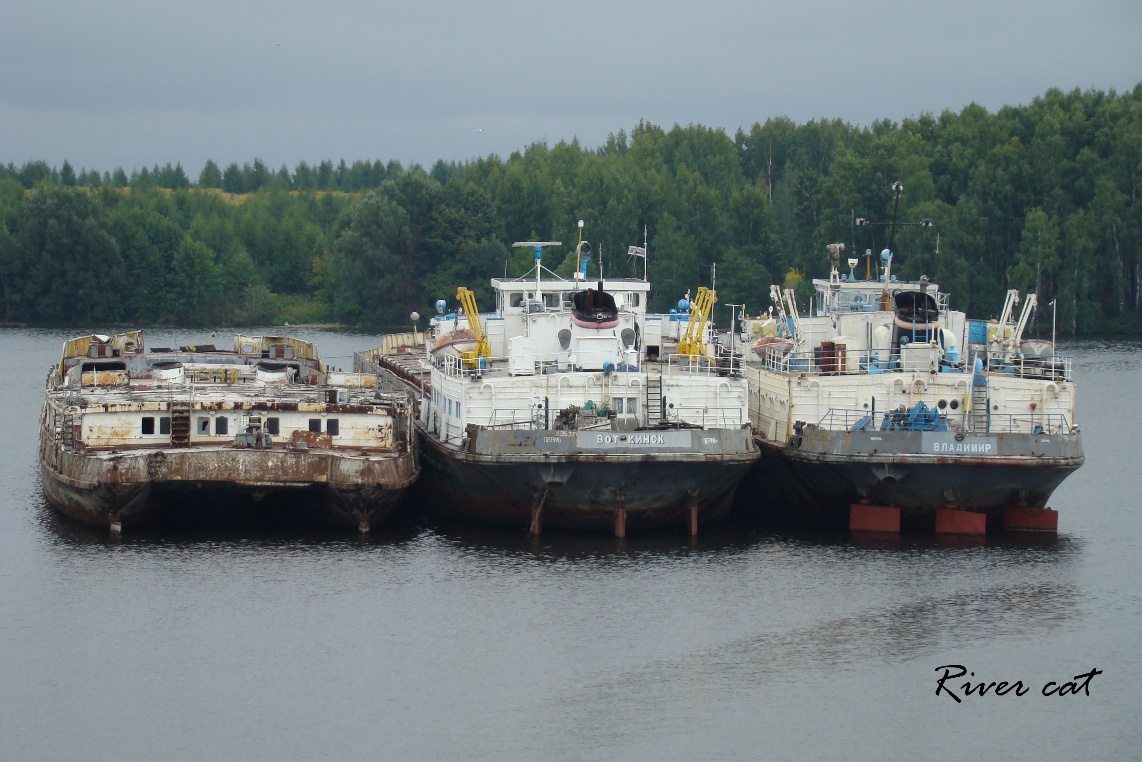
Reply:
x=234 y=520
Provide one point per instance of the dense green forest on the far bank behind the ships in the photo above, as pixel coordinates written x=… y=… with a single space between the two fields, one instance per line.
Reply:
x=1042 y=198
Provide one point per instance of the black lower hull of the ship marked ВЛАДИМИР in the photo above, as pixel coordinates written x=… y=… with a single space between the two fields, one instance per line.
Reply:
x=818 y=479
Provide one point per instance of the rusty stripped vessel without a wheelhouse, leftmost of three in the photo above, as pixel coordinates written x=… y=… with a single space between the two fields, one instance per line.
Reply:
x=123 y=427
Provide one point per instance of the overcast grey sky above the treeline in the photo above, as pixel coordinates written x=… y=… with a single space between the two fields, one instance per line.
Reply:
x=115 y=83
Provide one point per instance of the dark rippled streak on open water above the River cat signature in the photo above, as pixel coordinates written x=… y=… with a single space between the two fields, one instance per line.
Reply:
x=769 y=661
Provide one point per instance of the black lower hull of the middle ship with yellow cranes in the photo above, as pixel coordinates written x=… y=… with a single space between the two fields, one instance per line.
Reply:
x=506 y=478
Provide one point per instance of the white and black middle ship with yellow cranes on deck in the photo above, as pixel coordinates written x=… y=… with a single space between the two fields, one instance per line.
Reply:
x=566 y=410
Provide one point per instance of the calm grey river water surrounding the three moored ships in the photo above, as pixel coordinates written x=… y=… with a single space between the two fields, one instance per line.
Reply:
x=260 y=637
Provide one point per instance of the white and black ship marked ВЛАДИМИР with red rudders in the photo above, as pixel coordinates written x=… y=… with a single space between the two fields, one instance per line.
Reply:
x=887 y=410
